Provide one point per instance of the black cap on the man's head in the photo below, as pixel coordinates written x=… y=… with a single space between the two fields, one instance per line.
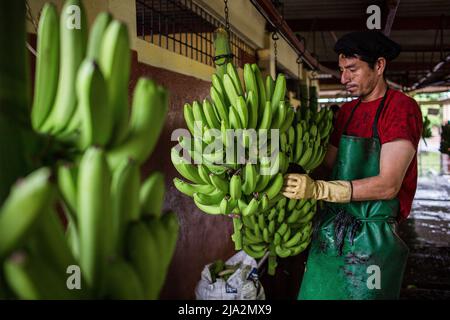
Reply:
x=370 y=45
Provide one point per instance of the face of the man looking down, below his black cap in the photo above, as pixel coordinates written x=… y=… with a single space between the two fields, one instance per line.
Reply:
x=359 y=79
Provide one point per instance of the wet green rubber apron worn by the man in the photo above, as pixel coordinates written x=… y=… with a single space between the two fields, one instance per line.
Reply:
x=356 y=252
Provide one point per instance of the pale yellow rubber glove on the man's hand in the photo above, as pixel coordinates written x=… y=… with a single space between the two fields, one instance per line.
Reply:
x=301 y=186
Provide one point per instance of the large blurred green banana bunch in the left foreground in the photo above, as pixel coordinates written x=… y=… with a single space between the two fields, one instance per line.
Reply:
x=115 y=232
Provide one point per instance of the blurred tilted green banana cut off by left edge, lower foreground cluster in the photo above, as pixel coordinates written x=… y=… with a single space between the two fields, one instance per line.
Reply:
x=27 y=201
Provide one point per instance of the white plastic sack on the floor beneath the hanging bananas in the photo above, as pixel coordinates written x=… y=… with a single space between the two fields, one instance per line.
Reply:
x=243 y=284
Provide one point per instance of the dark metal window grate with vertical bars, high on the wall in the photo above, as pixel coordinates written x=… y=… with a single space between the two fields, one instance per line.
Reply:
x=184 y=27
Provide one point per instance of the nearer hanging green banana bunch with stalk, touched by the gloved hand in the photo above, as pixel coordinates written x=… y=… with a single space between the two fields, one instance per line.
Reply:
x=228 y=182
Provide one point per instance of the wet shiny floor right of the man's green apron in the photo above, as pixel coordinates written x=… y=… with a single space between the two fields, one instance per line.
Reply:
x=427 y=234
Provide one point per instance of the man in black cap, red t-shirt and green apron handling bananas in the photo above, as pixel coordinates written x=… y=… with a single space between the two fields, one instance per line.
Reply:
x=356 y=252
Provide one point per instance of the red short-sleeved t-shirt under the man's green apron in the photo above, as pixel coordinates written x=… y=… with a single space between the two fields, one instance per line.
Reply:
x=401 y=118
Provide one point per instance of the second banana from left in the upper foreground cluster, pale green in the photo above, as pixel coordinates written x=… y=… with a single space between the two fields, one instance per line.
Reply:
x=73 y=40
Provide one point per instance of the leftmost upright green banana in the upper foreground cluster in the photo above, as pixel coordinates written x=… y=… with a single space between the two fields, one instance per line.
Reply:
x=47 y=65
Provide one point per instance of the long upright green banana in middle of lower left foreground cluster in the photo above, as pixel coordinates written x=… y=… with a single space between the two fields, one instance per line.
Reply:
x=94 y=221
